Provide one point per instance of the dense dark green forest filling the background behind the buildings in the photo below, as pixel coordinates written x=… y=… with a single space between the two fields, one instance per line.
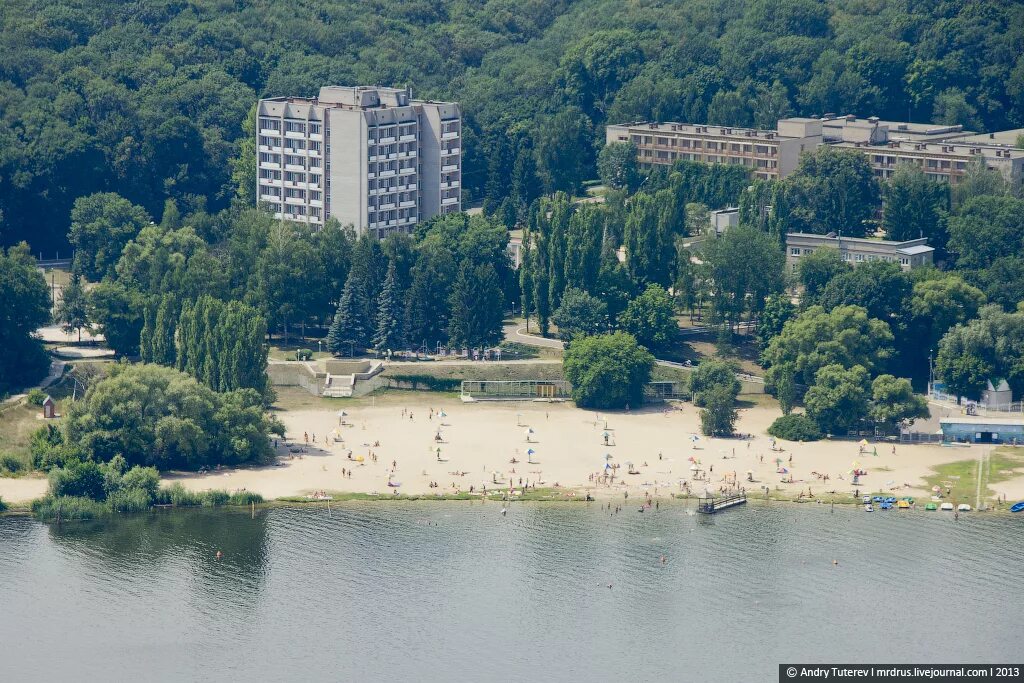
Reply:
x=149 y=99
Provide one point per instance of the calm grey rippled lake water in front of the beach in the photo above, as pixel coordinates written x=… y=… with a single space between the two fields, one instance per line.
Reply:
x=454 y=591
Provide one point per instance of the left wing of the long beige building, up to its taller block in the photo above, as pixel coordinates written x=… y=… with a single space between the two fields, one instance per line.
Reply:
x=770 y=154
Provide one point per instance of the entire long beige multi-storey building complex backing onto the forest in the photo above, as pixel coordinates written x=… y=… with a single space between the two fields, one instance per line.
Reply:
x=944 y=152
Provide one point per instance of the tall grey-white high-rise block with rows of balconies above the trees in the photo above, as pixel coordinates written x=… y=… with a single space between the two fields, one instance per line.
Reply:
x=370 y=157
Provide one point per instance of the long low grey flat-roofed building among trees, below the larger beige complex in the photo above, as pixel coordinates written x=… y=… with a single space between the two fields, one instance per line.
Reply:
x=910 y=254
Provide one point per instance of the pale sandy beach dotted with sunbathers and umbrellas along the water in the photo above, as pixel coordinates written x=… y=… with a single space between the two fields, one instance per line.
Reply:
x=395 y=440
